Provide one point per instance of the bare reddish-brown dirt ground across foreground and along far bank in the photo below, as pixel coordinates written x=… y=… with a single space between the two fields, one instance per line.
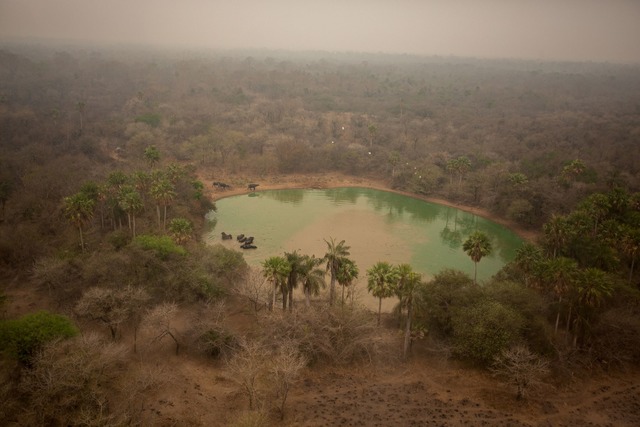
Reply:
x=428 y=390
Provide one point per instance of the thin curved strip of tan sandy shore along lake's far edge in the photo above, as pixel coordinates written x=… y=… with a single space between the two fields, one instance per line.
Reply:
x=334 y=180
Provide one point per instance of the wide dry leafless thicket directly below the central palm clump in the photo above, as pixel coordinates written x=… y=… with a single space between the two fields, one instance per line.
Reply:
x=339 y=335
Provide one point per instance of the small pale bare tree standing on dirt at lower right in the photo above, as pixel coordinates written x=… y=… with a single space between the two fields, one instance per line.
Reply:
x=520 y=367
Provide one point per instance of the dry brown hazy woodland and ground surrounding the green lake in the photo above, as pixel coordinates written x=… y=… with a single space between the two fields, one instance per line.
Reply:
x=111 y=303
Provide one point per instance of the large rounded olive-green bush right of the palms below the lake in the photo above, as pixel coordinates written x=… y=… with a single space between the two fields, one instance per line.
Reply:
x=482 y=331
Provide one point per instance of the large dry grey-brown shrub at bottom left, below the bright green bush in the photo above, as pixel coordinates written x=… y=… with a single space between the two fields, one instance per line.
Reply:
x=72 y=382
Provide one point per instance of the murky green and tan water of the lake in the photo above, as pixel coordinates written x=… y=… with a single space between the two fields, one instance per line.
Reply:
x=377 y=225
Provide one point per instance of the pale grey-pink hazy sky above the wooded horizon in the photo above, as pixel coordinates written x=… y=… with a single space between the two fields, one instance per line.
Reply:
x=598 y=30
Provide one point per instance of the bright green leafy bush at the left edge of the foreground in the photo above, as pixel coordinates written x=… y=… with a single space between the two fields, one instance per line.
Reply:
x=23 y=337
